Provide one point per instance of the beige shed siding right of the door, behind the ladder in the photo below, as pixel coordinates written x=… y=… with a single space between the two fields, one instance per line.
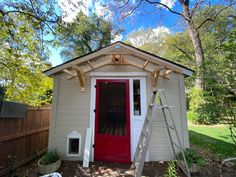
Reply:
x=160 y=148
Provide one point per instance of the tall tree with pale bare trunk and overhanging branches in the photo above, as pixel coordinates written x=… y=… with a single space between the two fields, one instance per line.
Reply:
x=188 y=13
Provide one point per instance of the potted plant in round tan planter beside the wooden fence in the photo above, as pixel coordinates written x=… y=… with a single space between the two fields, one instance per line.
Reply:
x=50 y=162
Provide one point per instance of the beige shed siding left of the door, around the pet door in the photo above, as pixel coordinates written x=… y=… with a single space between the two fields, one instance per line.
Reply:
x=72 y=112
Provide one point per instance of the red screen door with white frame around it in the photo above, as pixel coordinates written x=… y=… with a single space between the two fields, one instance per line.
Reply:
x=112 y=121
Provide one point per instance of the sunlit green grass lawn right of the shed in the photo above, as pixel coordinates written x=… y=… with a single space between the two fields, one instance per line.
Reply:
x=215 y=138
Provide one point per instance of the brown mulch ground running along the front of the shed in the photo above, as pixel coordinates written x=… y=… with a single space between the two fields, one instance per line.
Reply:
x=213 y=168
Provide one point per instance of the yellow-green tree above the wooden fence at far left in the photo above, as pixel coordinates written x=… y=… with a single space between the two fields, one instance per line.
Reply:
x=24 y=27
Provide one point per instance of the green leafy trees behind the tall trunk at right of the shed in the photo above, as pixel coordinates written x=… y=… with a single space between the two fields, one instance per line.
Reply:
x=215 y=103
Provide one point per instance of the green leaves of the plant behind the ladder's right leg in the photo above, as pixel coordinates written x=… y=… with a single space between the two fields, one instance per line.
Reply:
x=193 y=157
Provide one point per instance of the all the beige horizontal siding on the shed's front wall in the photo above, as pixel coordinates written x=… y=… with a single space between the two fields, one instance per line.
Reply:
x=71 y=109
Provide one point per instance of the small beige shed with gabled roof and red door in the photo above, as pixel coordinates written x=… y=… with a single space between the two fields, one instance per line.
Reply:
x=108 y=91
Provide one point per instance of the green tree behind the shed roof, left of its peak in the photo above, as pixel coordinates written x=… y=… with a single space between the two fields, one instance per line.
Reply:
x=84 y=35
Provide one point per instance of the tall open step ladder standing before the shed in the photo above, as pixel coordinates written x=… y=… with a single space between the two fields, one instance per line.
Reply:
x=160 y=100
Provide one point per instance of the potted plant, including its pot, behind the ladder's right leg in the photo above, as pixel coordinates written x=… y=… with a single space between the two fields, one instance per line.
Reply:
x=194 y=161
